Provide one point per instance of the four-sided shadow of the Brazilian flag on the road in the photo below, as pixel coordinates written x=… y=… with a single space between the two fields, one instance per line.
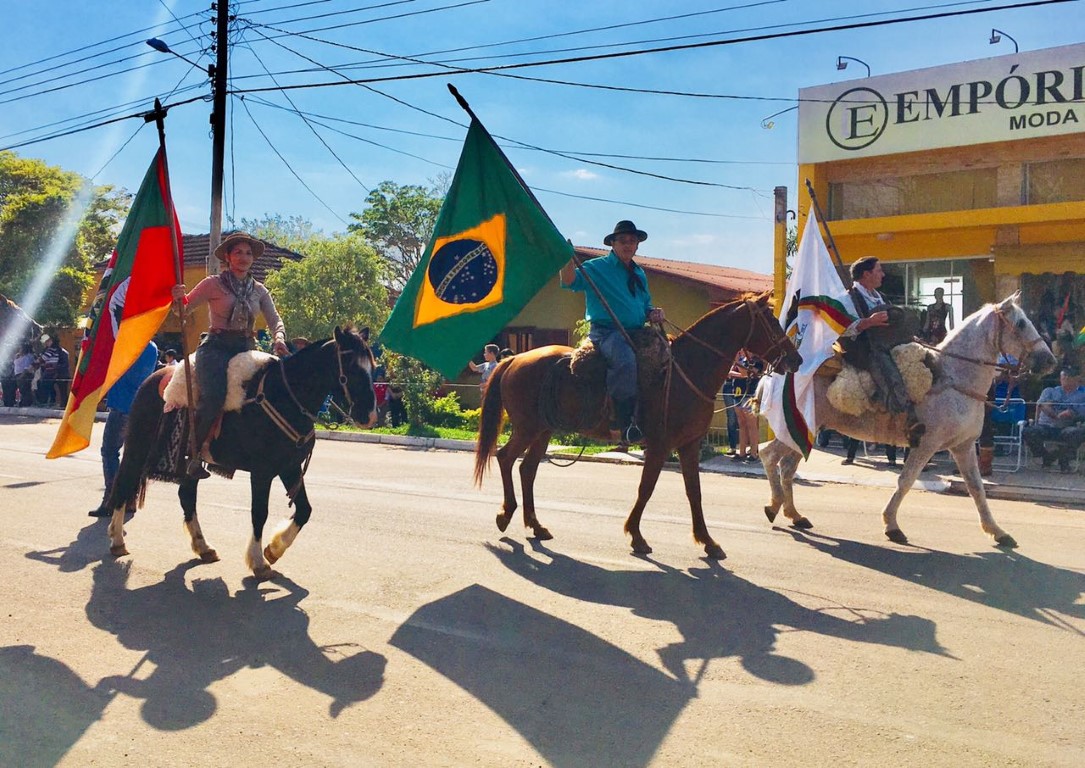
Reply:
x=579 y=700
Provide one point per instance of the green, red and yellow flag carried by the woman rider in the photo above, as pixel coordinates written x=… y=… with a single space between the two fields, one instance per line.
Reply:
x=133 y=300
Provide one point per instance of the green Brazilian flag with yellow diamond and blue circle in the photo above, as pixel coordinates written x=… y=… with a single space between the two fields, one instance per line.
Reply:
x=493 y=250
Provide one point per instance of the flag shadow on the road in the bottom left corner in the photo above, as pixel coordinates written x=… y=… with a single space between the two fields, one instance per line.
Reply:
x=46 y=708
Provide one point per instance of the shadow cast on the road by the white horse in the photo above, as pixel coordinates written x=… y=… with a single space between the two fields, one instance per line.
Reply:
x=1005 y=581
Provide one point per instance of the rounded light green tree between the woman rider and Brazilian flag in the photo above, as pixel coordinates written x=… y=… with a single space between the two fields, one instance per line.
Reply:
x=339 y=281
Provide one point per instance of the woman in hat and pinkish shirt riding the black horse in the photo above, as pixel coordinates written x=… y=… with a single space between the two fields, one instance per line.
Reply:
x=234 y=300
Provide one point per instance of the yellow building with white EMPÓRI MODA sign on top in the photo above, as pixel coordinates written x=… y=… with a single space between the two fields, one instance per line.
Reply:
x=968 y=177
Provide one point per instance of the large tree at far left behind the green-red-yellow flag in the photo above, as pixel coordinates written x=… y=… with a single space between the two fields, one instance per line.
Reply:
x=36 y=199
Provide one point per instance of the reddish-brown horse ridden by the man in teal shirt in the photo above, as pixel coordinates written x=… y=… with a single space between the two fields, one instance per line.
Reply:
x=675 y=416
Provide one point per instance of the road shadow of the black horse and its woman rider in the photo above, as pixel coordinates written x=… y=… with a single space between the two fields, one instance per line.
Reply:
x=196 y=636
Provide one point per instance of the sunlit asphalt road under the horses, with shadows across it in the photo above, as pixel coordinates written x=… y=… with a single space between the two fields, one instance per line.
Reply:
x=409 y=632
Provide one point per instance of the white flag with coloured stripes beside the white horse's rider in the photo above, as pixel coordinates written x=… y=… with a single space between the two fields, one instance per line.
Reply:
x=822 y=310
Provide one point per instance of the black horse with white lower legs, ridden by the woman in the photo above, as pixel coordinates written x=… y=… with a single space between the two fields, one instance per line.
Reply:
x=272 y=437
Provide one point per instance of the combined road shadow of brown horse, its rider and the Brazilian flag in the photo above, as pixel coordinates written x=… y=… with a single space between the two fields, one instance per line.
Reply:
x=582 y=701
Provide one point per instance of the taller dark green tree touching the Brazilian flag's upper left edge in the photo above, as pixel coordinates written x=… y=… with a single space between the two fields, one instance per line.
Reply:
x=399 y=223
